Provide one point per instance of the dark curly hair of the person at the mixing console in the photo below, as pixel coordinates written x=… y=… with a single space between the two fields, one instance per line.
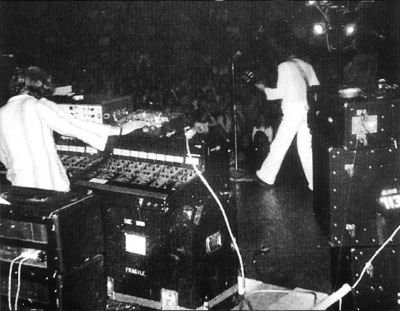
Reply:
x=33 y=80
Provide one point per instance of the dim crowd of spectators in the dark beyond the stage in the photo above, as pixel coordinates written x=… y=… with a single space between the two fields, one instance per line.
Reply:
x=203 y=95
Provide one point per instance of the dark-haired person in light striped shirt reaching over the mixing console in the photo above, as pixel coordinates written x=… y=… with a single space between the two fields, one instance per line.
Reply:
x=27 y=122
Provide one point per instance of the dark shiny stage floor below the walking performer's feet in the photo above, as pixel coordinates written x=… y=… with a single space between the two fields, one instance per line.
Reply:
x=281 y=220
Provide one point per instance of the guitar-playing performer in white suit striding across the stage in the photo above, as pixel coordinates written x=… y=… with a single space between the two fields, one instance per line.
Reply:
x=292 y=89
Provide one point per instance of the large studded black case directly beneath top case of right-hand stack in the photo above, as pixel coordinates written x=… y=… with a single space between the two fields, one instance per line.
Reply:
x=348 y=187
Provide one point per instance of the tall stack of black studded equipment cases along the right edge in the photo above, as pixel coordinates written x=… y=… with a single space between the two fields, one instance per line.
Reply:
x=356 y=193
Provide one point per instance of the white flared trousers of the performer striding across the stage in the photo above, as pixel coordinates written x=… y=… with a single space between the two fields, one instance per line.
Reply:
x=293 y=122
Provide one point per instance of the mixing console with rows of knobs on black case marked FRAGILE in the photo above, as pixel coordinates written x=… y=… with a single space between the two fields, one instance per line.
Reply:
x=166 y=238
